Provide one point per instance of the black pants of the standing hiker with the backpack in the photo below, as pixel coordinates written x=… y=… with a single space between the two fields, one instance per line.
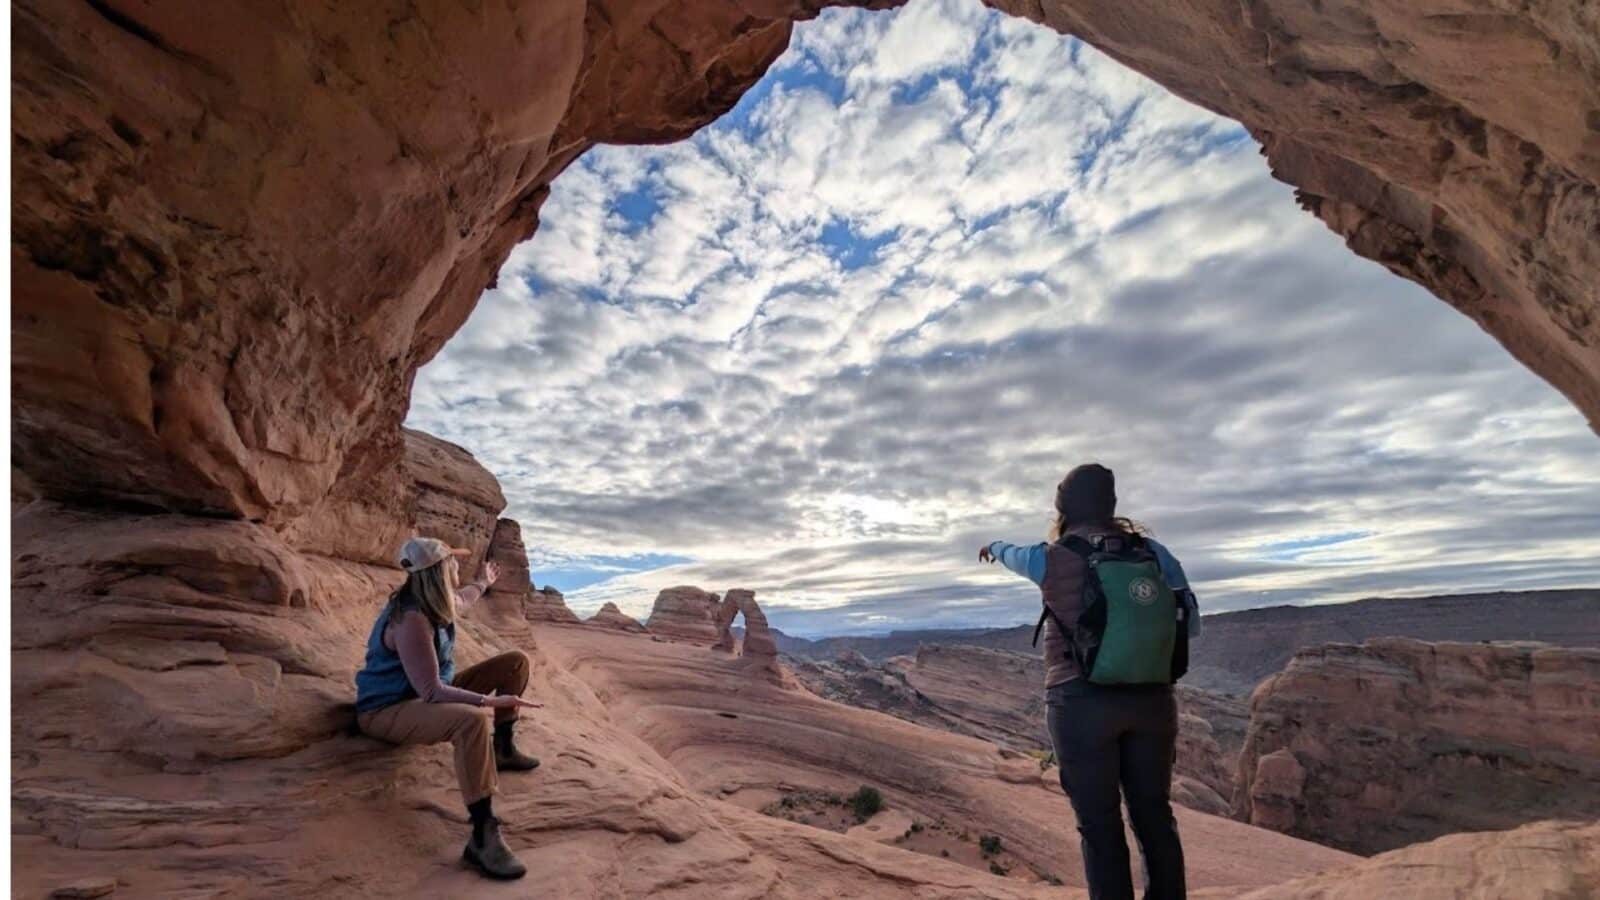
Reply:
x=1110 y=737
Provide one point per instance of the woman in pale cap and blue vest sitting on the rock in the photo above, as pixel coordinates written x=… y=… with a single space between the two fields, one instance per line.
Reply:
x=409 y=693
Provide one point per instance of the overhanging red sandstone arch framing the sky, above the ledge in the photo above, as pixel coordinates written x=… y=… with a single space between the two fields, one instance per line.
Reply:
x=239 y=228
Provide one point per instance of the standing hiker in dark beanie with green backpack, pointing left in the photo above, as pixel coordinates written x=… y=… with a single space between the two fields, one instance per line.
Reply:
x=1118 y=617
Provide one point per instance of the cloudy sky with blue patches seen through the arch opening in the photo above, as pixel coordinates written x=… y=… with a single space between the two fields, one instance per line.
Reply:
x=865 y=324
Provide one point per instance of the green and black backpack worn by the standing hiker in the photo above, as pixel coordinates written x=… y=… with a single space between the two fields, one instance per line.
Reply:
x=1132 y=629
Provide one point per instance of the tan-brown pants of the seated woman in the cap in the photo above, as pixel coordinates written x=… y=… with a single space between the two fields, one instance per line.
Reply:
x=468 y=728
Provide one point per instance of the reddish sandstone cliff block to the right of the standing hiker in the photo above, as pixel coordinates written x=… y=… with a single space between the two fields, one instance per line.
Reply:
x=1393 y=742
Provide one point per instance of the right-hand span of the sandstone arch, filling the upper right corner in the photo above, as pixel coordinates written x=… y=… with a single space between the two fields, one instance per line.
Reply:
x=1455 y=143
